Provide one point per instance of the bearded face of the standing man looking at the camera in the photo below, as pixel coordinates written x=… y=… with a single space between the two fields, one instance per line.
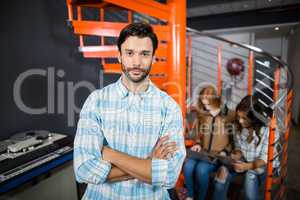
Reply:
x=136 y=58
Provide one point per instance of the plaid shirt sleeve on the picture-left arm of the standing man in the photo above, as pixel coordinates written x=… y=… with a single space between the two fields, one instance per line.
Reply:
x=89 y=167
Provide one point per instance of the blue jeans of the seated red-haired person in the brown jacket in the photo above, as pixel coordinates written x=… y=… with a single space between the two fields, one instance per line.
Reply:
x=201 y=171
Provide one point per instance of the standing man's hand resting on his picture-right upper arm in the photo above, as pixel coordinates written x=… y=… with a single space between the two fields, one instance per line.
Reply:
x=163 y=149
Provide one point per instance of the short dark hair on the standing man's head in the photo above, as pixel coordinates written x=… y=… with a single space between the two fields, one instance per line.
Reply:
x=140 y=30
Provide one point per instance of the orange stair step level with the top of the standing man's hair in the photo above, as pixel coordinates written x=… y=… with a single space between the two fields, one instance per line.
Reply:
x=112 y=29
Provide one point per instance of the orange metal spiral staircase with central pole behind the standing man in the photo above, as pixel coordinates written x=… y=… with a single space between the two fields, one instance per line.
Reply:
x=168 y=72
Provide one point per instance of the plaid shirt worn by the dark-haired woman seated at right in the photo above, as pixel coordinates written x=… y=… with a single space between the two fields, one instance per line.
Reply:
x=251 y=151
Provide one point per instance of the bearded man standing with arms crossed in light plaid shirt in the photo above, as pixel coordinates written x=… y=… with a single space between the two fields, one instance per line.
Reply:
x=141 y=125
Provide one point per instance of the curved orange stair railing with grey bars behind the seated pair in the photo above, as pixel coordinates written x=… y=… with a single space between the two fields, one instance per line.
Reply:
x=278 y=77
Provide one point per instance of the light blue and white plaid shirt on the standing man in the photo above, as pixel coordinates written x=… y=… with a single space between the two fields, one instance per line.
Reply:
x=130 y=123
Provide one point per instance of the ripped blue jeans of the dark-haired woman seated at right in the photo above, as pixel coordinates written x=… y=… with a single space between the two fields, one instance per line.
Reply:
x=251 y=185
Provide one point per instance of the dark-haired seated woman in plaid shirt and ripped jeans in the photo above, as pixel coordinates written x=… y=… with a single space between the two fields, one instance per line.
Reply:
x=250 y=153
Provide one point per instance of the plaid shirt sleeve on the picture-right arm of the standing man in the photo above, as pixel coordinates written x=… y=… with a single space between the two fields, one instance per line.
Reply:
x=166 y=172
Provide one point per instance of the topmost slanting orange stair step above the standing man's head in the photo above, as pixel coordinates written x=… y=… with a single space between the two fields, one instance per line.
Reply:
x=151 y=8
